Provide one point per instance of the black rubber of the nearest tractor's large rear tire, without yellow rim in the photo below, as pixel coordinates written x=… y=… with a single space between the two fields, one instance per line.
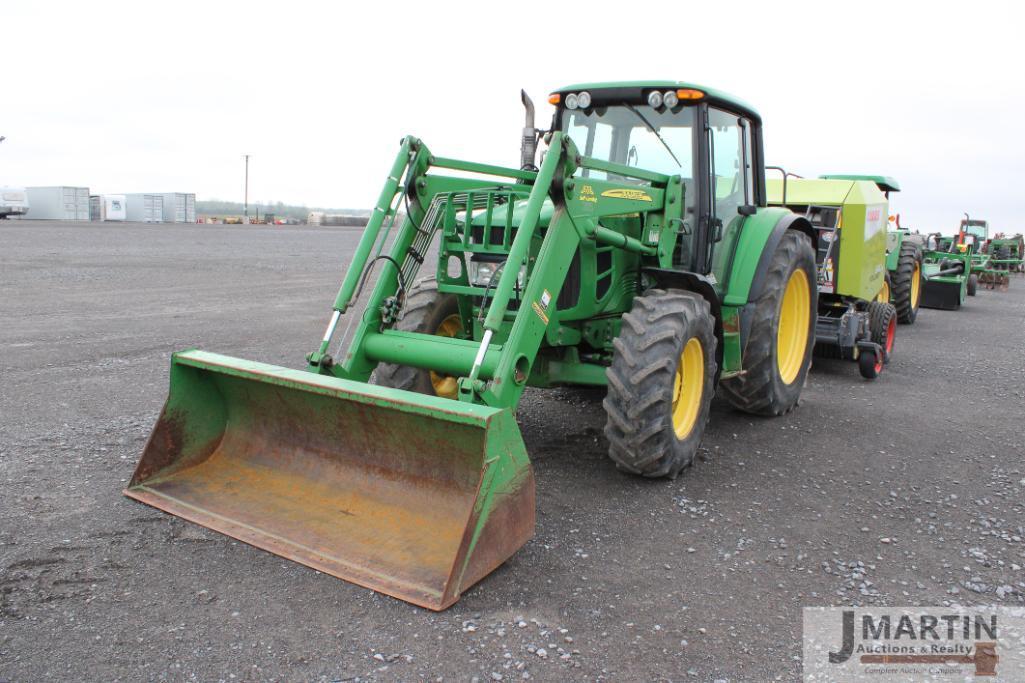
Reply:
x=762 y=389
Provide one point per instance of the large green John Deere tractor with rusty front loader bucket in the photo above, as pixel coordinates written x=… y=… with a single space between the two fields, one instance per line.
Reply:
x=641 y=257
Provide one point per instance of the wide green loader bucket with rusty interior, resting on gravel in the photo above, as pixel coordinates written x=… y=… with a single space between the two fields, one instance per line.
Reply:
x=412 y=496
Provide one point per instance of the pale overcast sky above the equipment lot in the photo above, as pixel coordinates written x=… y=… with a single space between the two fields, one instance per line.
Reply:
x=168 y=97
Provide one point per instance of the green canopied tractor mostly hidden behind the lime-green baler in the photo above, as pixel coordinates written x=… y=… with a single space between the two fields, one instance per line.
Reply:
x=904 y=279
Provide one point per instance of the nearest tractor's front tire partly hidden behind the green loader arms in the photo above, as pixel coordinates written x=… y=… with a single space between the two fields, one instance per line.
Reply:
x=430 y=312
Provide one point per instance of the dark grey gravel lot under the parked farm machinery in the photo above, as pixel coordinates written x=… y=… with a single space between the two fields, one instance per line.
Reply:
x=908 y=491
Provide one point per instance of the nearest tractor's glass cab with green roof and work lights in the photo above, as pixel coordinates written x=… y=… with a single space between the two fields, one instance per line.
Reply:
x=712 y=142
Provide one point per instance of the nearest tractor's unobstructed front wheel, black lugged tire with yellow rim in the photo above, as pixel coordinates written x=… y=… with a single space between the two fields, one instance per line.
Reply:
x=662 y=382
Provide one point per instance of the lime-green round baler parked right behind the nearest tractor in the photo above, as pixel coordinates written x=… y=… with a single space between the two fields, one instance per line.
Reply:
x=856 y=322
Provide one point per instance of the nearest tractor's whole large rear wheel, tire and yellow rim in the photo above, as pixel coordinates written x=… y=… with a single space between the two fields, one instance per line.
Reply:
x=780 y=348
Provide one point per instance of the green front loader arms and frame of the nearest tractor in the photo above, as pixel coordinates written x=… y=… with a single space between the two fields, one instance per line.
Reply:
x=496 y=365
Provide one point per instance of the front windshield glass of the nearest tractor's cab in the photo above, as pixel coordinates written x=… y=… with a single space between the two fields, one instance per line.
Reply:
x=641 y=137
